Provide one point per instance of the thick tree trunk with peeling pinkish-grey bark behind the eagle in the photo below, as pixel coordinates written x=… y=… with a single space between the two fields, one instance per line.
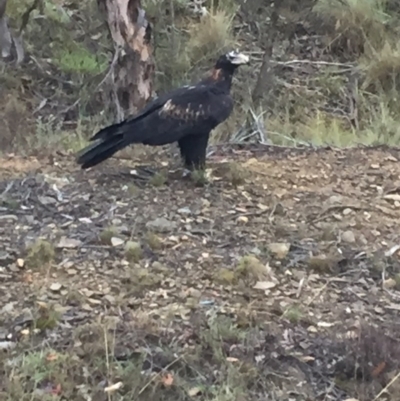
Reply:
x=133 y=66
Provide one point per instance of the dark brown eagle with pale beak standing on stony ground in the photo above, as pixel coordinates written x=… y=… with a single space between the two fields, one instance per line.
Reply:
x=186 y=115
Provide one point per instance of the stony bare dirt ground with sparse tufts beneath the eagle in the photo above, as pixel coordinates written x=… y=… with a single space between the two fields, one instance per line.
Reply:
x=284 y=287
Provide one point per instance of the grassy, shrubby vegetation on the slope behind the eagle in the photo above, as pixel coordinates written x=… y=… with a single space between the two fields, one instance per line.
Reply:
x=334 y=69
